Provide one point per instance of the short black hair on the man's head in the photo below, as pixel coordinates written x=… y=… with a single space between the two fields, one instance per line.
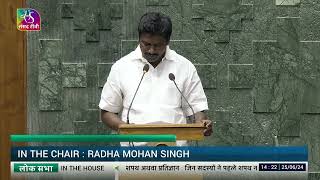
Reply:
x=156 y=24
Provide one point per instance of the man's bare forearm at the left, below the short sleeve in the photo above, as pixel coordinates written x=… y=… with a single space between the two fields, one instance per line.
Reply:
x=112 y=120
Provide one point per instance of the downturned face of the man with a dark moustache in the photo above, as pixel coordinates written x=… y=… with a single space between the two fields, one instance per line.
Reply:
x=153 y=47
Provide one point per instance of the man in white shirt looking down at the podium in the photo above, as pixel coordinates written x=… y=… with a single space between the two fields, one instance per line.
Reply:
x=157 y=99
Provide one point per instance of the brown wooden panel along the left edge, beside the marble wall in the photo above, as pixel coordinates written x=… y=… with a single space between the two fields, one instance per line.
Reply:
x=12 y=80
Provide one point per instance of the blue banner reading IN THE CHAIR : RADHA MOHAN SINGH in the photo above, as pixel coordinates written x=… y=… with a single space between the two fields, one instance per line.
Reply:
x=75 y=153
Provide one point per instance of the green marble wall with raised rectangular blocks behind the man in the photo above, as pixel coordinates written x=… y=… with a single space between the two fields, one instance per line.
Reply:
x=259 y=62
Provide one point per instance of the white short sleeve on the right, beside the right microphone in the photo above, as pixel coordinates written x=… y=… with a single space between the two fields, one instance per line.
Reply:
x=194 y=93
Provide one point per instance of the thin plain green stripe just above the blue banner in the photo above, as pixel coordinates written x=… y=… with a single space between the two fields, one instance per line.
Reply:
x=94 y=138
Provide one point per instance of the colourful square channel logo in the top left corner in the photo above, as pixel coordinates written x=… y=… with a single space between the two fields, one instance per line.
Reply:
x=28 y=20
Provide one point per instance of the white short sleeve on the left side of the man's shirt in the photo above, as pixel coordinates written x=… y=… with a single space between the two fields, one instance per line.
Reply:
x=111 y=98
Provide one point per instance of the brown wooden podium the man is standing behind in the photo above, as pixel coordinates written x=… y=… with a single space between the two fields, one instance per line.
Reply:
x=182 y=131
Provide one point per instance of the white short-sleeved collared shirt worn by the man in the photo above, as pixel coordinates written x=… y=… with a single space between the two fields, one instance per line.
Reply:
x=157 y=99
